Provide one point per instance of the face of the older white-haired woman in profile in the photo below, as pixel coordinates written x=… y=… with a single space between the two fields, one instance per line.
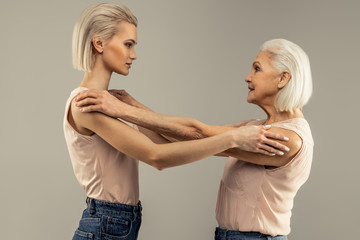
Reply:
x=263 y=80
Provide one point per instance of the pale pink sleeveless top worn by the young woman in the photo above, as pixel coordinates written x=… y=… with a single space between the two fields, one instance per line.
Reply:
x=104 y=172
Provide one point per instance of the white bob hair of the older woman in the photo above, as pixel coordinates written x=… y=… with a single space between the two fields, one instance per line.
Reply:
x=287 y=56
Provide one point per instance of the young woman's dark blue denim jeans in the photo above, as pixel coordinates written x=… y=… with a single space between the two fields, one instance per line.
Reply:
x=109 y=221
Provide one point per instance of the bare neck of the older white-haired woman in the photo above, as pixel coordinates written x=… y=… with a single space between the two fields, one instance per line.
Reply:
x=275 y=116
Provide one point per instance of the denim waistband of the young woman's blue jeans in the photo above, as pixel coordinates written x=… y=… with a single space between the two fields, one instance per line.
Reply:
x=110 y=208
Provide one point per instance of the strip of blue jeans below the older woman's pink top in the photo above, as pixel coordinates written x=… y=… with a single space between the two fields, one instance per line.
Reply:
x=223 y=234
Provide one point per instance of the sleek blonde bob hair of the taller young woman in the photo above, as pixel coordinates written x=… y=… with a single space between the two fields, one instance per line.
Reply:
x=101 y=19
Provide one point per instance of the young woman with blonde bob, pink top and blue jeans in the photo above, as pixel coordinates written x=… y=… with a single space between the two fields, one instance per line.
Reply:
x=105 y=151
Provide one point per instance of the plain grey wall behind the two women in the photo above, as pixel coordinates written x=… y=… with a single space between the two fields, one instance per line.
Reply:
x=192 y=60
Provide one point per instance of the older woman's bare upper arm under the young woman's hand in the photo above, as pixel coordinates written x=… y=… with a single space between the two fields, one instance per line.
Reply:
x=294 y=144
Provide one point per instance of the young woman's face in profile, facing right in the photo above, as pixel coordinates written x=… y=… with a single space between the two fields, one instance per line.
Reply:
x=119 y=51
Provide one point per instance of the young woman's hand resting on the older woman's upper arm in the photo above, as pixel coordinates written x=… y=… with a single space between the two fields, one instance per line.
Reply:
x=258 y=139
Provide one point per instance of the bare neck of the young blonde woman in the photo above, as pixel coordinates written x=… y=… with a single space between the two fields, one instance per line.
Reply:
x=98 y=78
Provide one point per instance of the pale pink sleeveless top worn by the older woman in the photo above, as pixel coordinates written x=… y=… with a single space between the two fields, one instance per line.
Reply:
x=253 y=198
